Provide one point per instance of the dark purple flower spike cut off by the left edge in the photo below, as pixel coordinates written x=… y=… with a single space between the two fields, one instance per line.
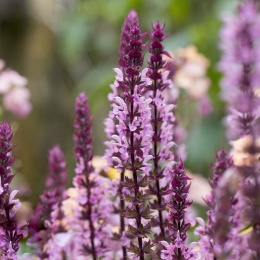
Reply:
x=11 y=232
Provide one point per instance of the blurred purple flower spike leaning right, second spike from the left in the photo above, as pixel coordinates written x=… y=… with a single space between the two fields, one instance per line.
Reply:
x=41 y=225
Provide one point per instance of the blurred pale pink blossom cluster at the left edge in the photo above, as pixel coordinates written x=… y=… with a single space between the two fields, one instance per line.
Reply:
x=15 y=94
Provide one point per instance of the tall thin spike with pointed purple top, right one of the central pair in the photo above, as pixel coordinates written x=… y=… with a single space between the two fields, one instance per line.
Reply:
x=161 y=119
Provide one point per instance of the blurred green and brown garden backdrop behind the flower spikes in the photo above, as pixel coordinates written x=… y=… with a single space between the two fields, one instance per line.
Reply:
x=64 y=47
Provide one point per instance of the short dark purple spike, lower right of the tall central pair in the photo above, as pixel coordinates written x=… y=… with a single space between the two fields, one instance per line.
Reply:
x=178 y=216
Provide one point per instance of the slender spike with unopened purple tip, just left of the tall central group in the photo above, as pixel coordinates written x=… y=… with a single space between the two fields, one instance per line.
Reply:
x=83 y=154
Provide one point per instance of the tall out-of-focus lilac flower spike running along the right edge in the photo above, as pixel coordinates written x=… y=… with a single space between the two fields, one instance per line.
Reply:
x=240 y=64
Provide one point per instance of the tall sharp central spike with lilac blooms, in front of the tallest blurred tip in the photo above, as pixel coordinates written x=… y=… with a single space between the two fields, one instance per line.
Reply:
x=133 y=142
